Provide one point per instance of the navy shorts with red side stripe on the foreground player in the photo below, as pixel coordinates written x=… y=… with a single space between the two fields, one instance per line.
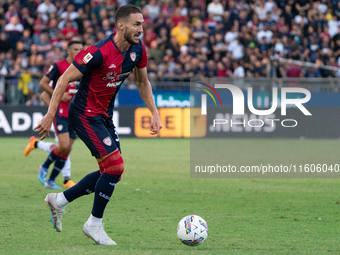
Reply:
x=98 y=133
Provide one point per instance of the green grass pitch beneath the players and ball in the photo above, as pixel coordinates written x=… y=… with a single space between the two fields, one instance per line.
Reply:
x=244 y=216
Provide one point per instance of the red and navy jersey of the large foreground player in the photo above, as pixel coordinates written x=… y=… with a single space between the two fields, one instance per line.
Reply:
x=104 y=68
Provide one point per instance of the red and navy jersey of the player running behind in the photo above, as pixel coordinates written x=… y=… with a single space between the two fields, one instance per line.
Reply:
x=54 y=72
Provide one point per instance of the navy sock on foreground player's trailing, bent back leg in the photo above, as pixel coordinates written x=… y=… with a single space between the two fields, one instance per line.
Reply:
x=84 y=187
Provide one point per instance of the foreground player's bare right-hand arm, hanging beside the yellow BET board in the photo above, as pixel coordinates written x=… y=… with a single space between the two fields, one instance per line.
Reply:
x=145 y=91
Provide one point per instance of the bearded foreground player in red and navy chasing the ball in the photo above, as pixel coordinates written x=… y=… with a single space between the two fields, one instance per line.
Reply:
x=103 y=67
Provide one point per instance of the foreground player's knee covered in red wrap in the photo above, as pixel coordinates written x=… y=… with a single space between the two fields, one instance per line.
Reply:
x=112 y=164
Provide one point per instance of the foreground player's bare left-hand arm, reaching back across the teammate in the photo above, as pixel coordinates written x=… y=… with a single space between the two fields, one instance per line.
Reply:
x=71 y=74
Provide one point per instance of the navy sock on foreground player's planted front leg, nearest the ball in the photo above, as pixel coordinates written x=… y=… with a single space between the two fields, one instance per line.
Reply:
x=104 y=188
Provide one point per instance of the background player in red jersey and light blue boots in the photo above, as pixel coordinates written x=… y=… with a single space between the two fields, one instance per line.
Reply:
x=63 y=130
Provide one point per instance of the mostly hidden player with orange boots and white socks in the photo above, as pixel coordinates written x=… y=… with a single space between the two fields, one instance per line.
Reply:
x=34 y=143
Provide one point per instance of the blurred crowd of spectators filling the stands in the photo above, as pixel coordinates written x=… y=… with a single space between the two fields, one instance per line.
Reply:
x=184 y=39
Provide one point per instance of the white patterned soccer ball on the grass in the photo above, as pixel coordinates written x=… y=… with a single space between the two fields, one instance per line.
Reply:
x=192 y=230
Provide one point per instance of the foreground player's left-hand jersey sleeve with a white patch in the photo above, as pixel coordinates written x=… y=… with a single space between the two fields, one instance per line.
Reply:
x=87 y=60
